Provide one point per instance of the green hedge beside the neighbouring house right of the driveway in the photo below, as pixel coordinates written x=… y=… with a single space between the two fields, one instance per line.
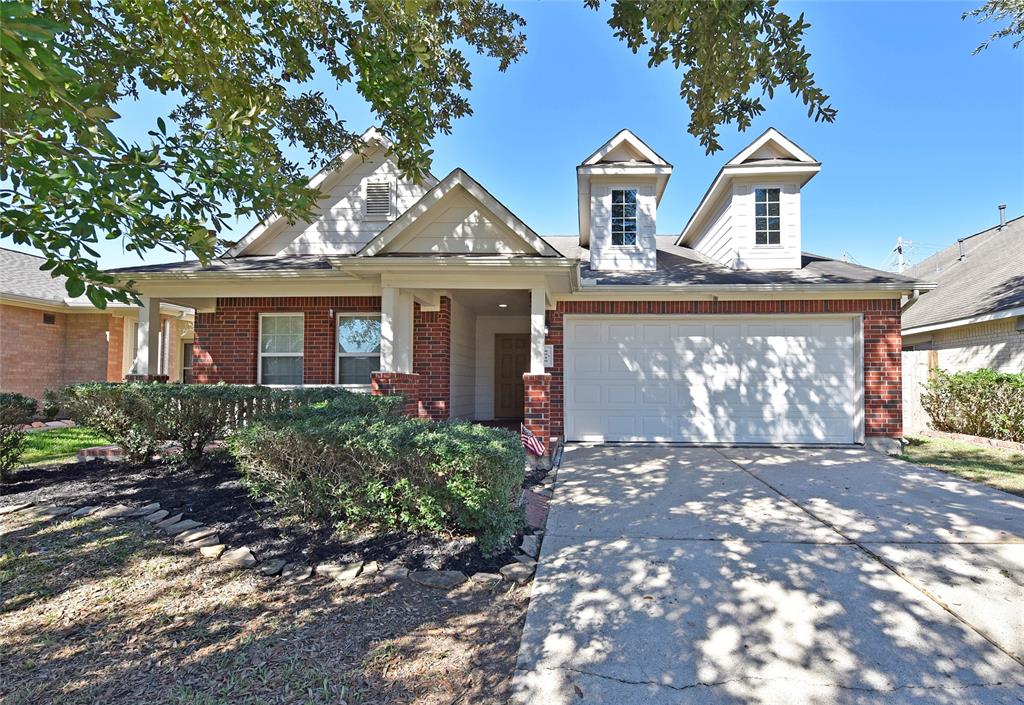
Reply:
x=984 y=403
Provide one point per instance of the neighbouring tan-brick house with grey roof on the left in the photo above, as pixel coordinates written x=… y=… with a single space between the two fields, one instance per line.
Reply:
x=49 y=341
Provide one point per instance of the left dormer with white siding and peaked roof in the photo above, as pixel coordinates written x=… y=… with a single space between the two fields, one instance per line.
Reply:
x=619 y=189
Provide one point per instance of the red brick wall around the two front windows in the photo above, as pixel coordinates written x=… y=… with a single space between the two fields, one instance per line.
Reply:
x=227 y=340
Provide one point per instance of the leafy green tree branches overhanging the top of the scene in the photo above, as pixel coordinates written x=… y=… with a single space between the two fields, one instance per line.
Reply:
x=242 y=73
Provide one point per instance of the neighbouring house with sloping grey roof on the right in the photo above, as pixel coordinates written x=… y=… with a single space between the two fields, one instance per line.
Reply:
x=973 y=320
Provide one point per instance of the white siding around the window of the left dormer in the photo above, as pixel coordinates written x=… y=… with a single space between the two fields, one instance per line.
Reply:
x=605 y=257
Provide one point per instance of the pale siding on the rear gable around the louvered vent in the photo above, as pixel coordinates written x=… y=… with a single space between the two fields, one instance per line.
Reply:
x=340 y=227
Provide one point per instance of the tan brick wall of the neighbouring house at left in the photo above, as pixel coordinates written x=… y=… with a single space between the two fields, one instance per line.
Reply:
x=36 y=356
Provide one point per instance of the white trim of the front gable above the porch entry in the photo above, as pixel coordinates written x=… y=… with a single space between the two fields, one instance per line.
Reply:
x=458 y=179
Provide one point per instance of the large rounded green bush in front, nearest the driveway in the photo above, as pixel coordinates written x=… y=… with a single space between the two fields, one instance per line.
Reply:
x=388 y=472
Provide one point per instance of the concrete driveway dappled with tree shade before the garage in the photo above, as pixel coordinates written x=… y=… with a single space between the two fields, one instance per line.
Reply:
x=783 y=577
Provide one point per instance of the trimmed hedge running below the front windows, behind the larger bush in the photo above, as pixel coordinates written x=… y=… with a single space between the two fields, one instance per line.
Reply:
x=142 y=417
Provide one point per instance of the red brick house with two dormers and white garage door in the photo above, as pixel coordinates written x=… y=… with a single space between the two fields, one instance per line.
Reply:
x=728 y=333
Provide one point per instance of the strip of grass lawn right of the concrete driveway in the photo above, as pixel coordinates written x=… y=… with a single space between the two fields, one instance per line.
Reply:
x=997 y=468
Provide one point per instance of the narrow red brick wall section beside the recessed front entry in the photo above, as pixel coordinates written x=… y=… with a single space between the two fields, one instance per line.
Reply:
x=433 y=359
